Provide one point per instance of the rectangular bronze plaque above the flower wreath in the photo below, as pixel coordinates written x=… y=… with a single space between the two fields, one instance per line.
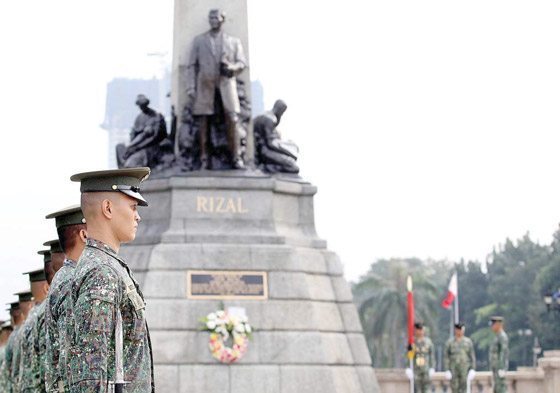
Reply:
x=227 y=285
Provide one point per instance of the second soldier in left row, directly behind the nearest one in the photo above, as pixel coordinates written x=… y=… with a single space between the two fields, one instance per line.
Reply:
x=71 y=229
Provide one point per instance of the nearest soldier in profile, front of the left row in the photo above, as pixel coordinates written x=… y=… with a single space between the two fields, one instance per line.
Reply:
x=111 y=343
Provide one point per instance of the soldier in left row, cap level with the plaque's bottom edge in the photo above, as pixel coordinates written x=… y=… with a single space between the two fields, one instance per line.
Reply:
x=26 y=307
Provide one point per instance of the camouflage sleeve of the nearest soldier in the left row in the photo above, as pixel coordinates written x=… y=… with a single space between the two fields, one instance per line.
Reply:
x=98 y=294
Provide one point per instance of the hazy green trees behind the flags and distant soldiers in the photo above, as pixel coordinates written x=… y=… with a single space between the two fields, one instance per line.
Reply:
x=513 y=283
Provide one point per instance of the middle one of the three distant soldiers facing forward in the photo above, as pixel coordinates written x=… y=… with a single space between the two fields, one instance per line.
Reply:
x=459 y=358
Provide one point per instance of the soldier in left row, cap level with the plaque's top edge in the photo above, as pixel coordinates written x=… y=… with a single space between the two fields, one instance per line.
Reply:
x=31 y=375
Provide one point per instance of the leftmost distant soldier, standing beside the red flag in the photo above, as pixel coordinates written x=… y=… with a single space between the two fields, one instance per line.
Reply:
x=424 y=359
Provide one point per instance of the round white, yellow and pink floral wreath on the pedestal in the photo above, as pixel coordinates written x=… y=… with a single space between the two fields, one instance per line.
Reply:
x=222 y=328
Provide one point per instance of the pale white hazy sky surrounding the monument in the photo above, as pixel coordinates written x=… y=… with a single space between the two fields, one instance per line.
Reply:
x=431 y=128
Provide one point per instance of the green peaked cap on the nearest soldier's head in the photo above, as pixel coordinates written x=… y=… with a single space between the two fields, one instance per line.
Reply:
x=125 y=180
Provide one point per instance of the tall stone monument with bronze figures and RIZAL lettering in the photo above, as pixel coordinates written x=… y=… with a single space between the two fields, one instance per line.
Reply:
x=242 y=295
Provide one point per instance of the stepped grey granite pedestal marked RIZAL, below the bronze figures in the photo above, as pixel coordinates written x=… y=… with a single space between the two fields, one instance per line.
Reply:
x=308 y=336
